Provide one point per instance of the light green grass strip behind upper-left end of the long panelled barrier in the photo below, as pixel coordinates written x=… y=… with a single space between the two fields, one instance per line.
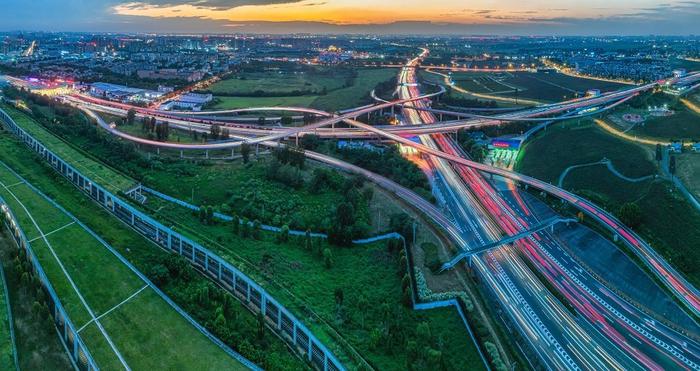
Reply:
x=107 y=177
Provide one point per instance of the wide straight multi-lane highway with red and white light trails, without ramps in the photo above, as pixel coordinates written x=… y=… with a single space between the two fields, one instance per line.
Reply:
x=606 y=330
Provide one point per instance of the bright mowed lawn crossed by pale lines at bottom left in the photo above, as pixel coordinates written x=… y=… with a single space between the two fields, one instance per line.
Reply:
x=93 y=283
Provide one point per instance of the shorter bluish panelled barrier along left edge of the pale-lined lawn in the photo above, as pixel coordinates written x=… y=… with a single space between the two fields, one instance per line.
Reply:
x=77 y=351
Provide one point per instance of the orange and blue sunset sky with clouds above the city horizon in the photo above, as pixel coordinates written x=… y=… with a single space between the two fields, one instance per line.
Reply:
x=389 y=16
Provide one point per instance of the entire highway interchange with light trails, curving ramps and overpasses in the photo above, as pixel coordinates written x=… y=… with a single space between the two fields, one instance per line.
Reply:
x=606 y=331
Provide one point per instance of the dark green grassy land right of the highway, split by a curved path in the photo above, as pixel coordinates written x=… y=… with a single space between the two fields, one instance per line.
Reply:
x=670 y=224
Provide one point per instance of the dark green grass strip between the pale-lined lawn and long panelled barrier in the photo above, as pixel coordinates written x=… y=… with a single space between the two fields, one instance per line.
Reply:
x=145 y=256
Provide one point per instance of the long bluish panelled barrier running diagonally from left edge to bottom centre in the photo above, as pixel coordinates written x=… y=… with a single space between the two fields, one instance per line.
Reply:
x=247 y=291
